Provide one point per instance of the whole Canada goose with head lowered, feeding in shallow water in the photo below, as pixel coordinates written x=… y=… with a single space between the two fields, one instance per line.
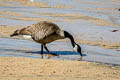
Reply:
x=45 y=32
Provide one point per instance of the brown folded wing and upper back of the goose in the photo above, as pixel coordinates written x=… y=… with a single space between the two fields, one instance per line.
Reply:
x=40 y=30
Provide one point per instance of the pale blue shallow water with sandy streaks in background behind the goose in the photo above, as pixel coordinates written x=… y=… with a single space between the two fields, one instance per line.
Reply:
x=79 y=26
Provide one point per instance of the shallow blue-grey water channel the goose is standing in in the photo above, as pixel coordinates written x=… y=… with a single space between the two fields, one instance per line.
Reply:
x=25 y=48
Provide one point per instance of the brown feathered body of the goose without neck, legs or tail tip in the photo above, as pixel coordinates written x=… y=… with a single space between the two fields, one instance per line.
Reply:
x=43 y=32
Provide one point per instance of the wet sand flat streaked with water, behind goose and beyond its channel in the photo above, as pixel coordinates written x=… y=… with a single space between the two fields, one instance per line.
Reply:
x=73 y=20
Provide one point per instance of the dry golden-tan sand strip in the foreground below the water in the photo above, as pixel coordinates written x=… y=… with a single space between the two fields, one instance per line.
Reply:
x=12 y=68
